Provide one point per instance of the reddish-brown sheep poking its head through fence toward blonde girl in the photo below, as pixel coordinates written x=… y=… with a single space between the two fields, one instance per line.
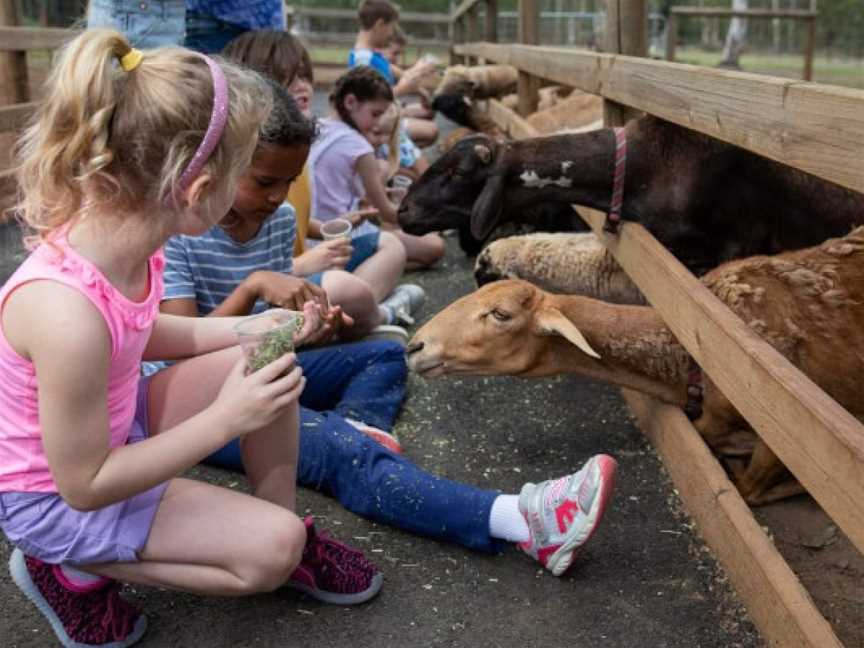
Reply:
x=807 y=304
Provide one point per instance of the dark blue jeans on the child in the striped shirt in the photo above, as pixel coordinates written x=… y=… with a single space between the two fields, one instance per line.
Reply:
x=366 y=381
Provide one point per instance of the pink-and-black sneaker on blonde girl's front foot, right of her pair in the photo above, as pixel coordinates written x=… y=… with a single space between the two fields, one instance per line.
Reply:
x=333 y=572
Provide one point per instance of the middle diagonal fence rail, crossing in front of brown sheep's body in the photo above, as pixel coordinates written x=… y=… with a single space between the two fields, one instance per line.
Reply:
x=818 y=440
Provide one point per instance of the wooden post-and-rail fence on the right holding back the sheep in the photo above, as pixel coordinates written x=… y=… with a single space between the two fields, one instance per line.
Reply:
x=816 y=128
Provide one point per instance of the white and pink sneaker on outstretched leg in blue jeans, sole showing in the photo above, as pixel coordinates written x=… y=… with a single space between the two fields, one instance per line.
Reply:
x=562 y=514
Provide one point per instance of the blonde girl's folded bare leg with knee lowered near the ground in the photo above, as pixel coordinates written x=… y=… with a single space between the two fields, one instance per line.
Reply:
x=211 y=540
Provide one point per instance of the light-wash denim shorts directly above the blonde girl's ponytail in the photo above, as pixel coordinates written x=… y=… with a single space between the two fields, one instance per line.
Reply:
x=147 y=23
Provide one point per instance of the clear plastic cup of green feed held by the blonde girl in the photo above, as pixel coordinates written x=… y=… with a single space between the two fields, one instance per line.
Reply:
x=268 y=336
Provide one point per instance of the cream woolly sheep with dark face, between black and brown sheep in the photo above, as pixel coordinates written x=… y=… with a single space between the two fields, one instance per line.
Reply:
x=572 y=264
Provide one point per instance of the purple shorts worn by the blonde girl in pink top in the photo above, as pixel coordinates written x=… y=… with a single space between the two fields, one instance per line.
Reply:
x=44 y=526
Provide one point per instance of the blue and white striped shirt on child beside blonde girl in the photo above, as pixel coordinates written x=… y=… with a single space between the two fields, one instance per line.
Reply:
x=209 y=267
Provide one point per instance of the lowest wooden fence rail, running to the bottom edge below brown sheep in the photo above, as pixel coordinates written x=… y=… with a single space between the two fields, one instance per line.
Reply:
x=776 y=600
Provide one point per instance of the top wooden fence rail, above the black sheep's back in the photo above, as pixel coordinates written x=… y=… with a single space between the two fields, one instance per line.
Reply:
x=816 y=128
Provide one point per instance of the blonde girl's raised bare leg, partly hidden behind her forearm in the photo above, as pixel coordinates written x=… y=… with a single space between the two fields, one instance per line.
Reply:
x=269 y=455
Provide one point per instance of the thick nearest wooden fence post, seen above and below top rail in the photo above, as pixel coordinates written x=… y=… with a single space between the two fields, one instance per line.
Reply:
x=626 y=33
